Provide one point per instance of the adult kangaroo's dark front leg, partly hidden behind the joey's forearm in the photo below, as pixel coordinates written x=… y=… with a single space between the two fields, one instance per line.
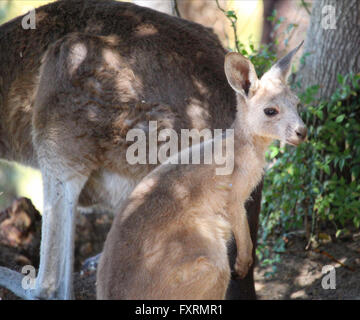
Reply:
x=240 y=289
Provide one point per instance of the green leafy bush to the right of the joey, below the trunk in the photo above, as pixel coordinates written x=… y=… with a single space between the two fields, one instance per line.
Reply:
x=318 y=179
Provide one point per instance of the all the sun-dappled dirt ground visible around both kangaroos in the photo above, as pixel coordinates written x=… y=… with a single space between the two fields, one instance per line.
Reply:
x=299 y=274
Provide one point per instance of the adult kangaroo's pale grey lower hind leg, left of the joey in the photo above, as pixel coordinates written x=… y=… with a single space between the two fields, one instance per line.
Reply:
x=61 y=194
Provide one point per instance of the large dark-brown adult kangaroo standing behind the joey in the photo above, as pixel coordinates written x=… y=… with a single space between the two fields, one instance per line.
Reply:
x=72 y=88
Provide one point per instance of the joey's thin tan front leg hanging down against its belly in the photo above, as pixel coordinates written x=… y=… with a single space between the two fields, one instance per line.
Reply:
x=241 y=230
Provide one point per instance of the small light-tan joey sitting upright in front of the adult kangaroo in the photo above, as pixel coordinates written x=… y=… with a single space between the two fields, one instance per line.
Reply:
x=170 y=240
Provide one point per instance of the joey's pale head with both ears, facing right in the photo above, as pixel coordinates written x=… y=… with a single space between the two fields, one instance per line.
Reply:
x=267 y=107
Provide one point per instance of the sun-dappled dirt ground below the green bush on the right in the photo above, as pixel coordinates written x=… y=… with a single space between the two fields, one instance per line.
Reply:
x=299 y=274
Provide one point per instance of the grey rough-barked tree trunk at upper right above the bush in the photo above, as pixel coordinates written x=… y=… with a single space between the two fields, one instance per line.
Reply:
x=334 y=46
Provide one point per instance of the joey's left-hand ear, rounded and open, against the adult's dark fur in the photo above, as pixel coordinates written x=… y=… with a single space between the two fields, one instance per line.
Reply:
x=241 y=74
